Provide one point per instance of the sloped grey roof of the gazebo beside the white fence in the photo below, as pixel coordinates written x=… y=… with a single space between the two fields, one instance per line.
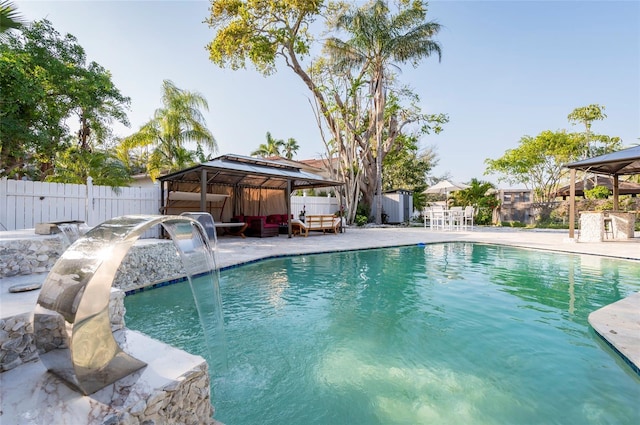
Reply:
x=238 y=170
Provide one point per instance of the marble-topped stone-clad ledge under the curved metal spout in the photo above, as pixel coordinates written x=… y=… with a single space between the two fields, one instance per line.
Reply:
x=172 y=389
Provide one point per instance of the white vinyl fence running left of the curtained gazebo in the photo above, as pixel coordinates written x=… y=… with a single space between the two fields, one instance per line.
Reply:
x=25 y=203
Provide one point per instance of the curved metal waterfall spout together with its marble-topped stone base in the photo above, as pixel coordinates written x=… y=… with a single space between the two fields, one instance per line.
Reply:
x=130 y=378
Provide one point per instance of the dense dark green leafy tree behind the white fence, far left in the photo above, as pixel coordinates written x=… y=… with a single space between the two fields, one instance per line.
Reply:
x=45 y=81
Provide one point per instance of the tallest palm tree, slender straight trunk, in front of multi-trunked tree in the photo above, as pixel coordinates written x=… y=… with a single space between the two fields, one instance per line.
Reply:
x=379 y=40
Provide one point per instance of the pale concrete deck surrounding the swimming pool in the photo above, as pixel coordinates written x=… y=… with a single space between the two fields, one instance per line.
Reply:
x=621 y=321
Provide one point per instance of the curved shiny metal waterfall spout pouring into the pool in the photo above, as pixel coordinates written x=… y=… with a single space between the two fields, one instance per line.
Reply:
x=71 y=319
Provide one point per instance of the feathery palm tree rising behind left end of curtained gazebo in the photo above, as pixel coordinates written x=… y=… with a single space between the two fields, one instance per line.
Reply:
x=174 y=125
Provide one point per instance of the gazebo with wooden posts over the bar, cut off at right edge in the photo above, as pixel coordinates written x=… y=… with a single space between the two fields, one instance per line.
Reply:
x=615 y=164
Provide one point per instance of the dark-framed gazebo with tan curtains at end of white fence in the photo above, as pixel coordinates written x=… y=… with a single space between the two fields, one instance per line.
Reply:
x=253 y=185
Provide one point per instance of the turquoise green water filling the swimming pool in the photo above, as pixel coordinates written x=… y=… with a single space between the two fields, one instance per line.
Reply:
x=444 y=334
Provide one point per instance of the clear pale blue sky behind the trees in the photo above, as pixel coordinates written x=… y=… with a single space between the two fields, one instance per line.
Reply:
x=509 y=69
